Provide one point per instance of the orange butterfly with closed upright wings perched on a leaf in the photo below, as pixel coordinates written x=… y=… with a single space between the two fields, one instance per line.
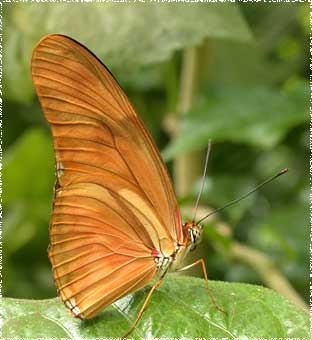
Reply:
x=115 y=223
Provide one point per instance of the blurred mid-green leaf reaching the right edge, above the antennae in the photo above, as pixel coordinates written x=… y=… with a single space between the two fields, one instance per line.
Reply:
x=257 y=116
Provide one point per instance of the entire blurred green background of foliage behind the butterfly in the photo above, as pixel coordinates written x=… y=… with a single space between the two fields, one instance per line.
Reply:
x=237 y=74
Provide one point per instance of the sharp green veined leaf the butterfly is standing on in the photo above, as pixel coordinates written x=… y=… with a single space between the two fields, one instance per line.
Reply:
x=180 y=308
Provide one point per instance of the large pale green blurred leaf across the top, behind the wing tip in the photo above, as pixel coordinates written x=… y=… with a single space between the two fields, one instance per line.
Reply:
x=127 y=36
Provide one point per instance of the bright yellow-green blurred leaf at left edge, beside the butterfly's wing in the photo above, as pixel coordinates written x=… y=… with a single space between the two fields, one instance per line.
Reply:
x=28 y=183
